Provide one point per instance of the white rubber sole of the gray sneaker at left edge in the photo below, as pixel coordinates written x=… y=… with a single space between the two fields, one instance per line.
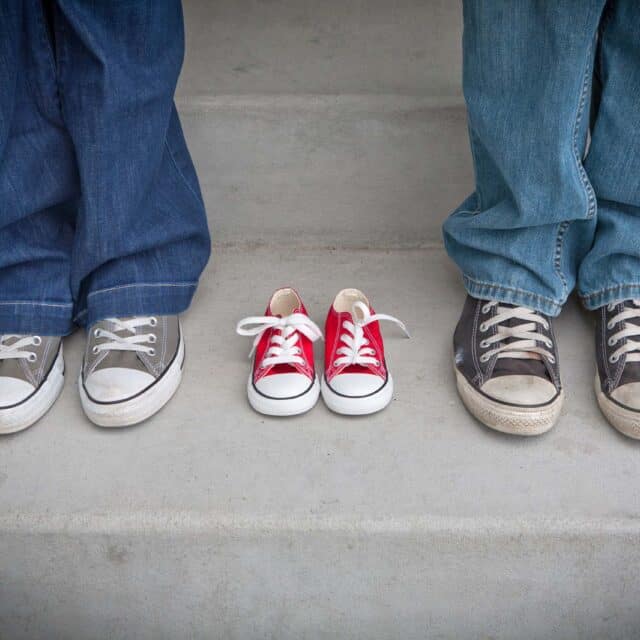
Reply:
x=29 y=411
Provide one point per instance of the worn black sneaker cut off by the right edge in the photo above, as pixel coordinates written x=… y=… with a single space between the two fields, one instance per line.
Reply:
x=618 y=365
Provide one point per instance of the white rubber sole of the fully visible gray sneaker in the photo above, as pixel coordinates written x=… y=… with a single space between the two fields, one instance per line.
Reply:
x=142 y=406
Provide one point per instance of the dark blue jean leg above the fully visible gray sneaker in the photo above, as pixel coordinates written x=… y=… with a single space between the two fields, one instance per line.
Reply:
x=141 y=235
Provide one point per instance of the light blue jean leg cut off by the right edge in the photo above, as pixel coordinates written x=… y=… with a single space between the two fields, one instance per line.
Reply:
x=611 y=270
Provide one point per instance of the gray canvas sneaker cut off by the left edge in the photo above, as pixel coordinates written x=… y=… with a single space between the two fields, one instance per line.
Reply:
x=31 y=379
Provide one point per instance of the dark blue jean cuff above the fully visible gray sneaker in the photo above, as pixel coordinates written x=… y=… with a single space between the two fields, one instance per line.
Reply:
x=138 y=299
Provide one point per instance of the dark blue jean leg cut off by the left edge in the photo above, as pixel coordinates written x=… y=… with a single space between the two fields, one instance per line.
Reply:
x=38 y=180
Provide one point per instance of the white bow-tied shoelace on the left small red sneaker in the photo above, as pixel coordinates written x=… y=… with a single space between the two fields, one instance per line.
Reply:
x=283 y=346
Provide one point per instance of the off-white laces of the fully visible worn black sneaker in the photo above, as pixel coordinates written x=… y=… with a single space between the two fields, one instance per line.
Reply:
x=520 y=341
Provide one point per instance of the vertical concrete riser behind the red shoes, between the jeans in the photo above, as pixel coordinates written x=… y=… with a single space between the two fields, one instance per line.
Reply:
x=323 y=171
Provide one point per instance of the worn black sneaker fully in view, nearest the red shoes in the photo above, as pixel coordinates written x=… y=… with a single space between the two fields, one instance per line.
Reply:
x=506 y=365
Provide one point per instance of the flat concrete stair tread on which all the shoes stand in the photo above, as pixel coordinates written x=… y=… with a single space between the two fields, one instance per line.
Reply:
x=209 y=461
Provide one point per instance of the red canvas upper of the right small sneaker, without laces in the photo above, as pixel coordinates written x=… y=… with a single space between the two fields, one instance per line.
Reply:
x=334 y=330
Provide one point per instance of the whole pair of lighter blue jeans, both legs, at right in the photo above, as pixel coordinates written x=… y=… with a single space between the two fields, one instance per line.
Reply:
x=551 y=211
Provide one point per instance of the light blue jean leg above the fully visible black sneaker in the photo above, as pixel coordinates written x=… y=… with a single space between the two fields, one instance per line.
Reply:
x=528 y=70
